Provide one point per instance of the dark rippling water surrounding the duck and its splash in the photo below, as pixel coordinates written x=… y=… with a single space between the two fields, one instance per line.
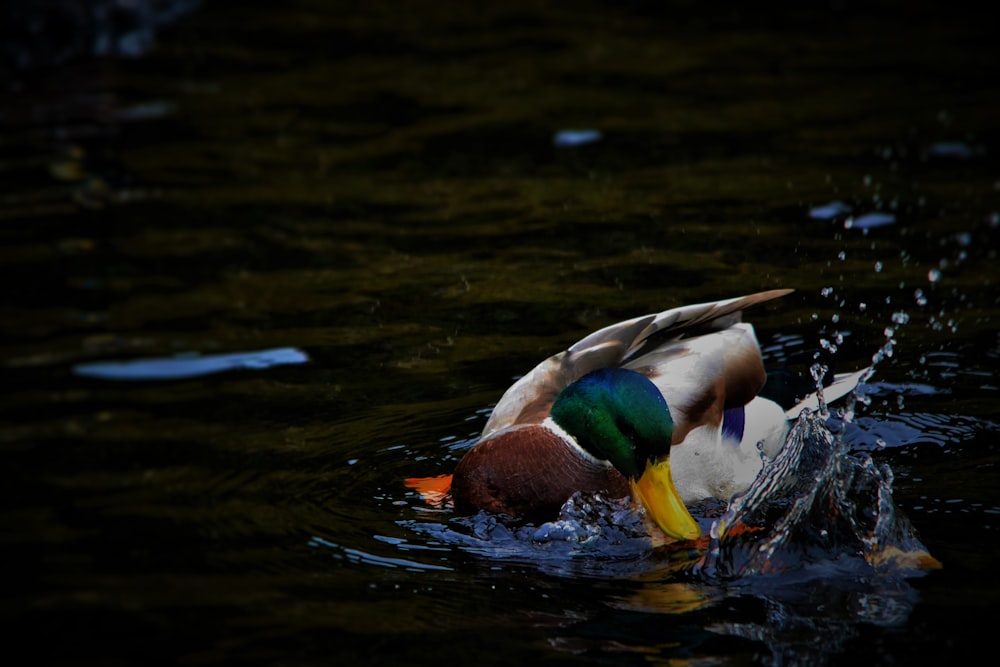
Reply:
x=339 y=233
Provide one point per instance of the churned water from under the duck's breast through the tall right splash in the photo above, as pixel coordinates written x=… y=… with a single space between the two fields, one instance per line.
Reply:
x=815 y=505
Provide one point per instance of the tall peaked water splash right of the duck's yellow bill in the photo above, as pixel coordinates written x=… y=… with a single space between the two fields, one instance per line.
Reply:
x=814 y=503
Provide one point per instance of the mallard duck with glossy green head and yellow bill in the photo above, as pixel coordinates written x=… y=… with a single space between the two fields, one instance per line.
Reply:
x=666 y=408
